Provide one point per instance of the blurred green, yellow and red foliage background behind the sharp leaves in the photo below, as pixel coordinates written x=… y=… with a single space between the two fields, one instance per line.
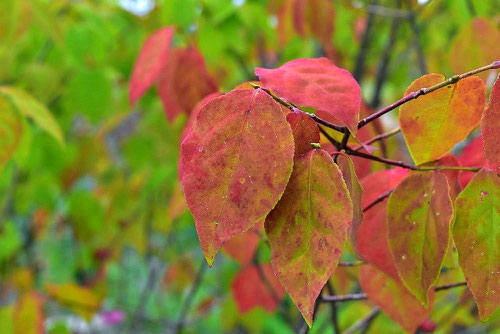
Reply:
x=95 y=236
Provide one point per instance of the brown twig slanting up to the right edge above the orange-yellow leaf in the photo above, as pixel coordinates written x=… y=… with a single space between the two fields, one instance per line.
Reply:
x=423 y=91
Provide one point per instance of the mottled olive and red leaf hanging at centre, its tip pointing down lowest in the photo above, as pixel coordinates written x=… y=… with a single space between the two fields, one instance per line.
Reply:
x=307 y=228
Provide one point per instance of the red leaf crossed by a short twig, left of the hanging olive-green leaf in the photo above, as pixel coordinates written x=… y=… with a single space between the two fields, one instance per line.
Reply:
x=372 y=233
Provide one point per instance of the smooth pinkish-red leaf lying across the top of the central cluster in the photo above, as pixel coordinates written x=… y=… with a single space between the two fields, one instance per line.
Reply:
x=319 y=84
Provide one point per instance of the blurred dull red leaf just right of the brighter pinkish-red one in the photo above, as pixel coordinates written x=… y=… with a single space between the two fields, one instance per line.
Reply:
x=184 y=82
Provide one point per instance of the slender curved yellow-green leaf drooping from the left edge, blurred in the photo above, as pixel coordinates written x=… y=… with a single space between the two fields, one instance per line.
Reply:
x=31 y=108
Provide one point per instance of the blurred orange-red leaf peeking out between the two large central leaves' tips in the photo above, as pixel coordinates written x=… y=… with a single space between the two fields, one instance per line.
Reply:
x=243 y=246
